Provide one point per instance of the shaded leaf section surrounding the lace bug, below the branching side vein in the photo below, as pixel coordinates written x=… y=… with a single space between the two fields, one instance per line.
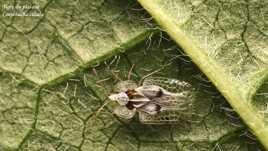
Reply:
x=64 y=114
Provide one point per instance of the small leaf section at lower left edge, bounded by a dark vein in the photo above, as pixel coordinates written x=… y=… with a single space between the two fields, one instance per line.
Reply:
x=17 y=106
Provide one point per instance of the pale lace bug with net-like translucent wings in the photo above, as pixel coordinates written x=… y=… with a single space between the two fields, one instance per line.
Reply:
x=153 y=100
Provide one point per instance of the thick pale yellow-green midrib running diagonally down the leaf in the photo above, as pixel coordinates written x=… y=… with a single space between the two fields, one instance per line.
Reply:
x=213 y=70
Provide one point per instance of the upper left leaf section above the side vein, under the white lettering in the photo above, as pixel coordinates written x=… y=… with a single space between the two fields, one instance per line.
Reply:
x=69 y=36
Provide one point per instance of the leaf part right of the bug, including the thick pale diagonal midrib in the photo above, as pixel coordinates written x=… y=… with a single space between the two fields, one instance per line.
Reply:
x=228 y=41
